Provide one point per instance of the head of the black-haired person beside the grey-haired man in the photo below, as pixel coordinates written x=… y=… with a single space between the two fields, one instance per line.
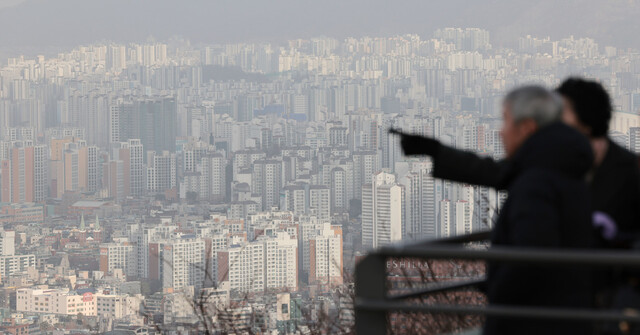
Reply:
x=587 y=106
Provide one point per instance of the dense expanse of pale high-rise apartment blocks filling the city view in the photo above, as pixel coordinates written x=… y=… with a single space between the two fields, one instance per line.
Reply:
x=149 y=175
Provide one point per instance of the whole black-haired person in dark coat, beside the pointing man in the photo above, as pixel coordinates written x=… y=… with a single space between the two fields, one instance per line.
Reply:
x=615 y=185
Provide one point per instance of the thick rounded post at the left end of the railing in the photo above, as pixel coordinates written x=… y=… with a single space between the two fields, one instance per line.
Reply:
x=371 y=284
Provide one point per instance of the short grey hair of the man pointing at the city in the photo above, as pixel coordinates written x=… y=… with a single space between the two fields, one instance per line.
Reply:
x=534 y=102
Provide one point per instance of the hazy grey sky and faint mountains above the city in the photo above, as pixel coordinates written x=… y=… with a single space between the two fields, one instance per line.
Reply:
x=72 y=22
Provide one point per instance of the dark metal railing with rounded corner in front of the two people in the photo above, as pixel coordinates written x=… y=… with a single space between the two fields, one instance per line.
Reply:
x=373 y=301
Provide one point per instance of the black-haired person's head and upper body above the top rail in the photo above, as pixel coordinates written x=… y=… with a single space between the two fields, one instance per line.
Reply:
x=615 y=180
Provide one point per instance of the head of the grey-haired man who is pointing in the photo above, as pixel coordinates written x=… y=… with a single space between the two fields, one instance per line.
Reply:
x=525 y=110
